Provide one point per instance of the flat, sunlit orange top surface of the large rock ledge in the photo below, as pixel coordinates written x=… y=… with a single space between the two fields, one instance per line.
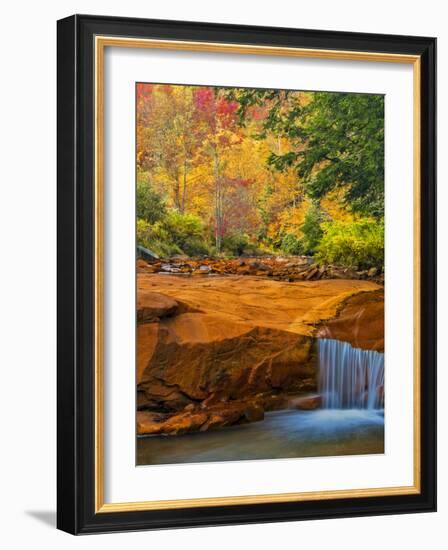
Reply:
x=294 y=307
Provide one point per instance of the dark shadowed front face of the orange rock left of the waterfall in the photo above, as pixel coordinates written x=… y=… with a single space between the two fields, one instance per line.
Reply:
x=202 y=355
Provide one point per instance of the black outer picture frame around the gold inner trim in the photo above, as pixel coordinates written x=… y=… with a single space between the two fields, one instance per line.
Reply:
x=76 y=264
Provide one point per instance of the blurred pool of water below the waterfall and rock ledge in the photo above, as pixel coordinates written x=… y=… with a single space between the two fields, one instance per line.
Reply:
x=282 y=434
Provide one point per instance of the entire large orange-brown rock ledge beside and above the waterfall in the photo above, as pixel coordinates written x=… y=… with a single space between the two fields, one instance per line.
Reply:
x=220 y=350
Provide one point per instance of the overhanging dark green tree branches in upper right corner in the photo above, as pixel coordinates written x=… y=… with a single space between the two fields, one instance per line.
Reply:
x=337 y=142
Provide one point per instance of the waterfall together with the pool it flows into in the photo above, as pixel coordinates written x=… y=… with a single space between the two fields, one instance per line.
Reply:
x=350 y=422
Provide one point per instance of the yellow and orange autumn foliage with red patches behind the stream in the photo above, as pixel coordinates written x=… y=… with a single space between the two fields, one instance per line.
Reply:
x=216 y=170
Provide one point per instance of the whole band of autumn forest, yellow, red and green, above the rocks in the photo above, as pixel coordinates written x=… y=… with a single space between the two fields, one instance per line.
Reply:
x=226 y=172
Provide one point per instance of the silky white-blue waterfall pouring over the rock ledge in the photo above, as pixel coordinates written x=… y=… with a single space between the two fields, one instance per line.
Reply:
x=350 y=378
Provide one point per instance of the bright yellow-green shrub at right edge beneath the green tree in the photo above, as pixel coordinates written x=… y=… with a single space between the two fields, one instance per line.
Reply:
x=359 y=244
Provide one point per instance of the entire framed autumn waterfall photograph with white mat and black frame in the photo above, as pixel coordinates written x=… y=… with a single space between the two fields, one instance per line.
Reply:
x=246 y=274
